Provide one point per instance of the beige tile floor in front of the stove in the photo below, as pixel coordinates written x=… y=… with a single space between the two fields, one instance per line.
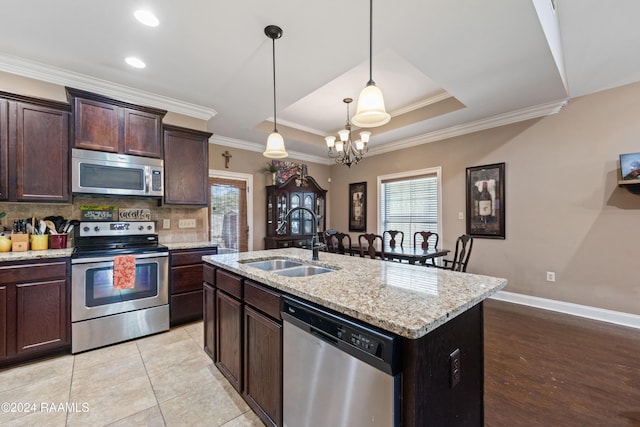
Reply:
x=160 y=380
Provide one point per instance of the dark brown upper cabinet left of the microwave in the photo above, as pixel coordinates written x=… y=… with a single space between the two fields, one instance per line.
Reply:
x=34 y=149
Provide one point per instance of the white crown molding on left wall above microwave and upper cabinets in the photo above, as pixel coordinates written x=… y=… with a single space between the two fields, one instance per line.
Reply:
x=62 y=77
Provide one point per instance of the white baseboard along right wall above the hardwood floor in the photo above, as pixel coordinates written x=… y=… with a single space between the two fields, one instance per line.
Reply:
x=601 y=314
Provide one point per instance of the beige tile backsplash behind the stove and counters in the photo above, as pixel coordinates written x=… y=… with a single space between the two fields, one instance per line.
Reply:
x=174 y=234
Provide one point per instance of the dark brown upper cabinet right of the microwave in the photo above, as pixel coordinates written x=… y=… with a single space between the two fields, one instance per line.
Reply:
x=186 y=166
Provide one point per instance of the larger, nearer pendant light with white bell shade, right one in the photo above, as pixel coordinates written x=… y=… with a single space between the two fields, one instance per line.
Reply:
x=370 y=112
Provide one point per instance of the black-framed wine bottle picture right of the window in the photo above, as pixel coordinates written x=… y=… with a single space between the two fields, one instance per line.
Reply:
x=485 y=201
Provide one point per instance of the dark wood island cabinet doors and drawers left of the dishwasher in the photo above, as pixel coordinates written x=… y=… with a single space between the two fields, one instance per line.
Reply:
x=243 y=331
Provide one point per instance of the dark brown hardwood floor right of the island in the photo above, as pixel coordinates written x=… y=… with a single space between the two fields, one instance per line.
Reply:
x=549 y=369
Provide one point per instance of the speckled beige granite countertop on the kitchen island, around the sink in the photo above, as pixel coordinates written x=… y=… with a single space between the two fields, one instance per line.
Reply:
x=408 y=300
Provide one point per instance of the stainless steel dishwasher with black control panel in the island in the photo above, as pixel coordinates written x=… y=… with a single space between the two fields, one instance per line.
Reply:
x=336 y=371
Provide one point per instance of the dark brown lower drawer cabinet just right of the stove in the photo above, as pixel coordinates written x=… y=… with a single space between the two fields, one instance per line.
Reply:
x=186 y=283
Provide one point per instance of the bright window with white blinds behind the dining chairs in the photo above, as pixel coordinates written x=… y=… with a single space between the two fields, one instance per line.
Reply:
x=409 y=204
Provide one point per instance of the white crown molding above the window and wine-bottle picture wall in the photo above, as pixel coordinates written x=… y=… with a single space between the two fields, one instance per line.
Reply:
x=476 y=126
